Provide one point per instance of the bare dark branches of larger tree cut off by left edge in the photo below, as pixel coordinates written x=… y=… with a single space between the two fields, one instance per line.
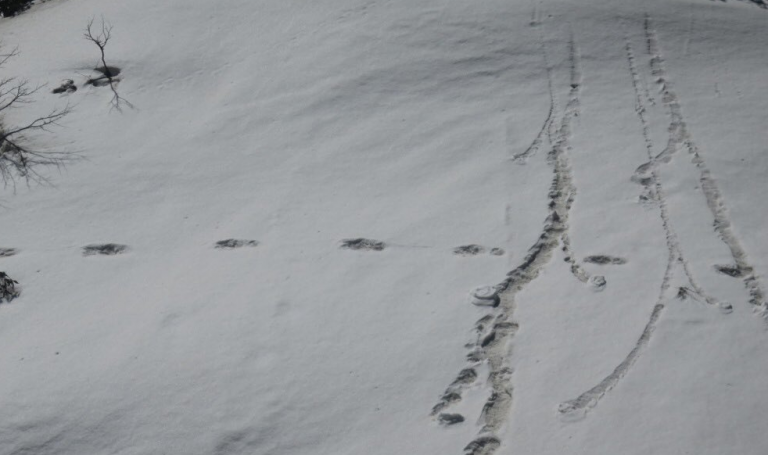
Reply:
x=18 y=157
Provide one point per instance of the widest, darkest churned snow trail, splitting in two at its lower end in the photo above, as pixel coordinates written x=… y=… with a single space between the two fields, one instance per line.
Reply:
x=495 y=330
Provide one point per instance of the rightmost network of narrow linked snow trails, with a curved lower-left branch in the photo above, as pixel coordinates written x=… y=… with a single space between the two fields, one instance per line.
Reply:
x=678 y=270
